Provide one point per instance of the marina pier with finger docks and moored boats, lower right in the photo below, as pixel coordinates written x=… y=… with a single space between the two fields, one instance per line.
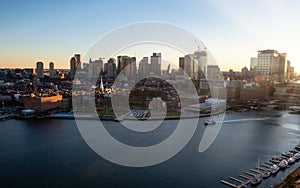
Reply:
x=249 y=176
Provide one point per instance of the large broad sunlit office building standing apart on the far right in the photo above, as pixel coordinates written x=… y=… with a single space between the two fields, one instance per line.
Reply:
x=271 y=65
